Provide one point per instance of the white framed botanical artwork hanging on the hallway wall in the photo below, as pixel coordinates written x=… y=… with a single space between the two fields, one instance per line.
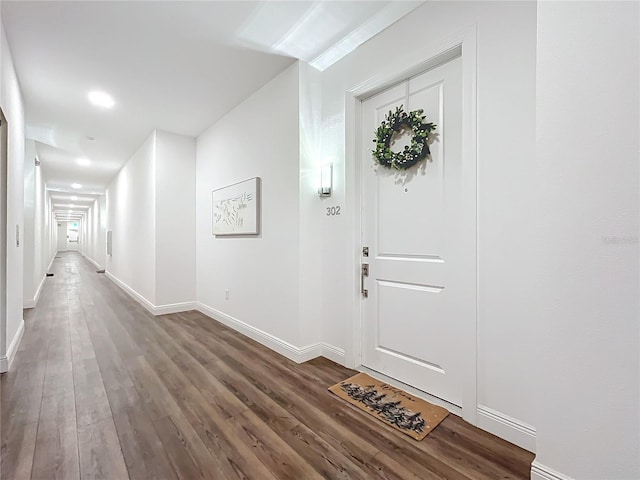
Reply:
x=236 y=208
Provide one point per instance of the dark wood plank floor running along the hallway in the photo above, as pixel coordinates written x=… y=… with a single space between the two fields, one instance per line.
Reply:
x=102 y=389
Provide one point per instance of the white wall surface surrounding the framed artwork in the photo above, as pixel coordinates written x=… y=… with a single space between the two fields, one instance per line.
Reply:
x=259 y=138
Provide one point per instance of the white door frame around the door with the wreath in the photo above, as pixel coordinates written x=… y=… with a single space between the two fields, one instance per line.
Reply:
x=463 y=44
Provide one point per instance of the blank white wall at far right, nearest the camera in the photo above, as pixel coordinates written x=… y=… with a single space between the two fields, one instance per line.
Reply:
x=587 y=334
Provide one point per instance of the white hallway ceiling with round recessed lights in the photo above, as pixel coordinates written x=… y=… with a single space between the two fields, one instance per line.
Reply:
x=177 y=66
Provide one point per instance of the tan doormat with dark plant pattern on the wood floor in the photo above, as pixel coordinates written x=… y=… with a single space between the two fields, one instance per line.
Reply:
x=404 y=412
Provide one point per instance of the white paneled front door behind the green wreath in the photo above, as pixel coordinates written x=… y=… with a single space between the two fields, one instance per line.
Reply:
x=419 y=227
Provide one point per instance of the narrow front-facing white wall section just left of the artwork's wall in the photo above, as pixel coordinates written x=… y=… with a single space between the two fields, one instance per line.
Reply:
x=175 y=218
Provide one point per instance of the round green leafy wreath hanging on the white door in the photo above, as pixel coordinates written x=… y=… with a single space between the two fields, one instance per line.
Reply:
x=394 y=122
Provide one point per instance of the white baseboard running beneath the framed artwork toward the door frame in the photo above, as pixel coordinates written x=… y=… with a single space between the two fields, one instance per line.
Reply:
x=297 y=354
